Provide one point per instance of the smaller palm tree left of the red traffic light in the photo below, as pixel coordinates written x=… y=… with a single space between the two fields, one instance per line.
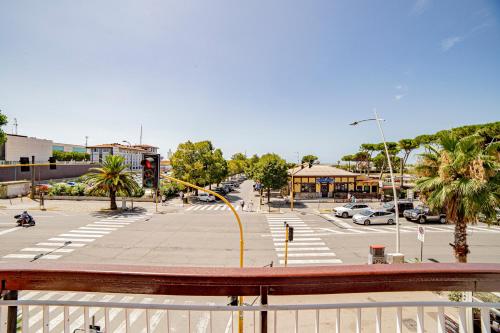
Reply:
x=111 y=178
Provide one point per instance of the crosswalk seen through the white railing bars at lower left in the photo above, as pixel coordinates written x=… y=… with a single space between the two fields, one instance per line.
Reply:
x=36 y=318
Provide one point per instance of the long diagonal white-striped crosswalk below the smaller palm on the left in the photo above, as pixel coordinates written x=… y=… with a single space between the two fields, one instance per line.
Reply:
x=56 y=247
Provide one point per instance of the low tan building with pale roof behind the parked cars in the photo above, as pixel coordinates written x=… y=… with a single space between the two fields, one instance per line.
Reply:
x=324 y=181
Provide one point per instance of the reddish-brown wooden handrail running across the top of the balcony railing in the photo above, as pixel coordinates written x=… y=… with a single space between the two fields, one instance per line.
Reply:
x=205 y=281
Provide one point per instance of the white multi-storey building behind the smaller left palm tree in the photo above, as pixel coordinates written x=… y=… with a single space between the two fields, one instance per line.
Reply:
x=133 y=155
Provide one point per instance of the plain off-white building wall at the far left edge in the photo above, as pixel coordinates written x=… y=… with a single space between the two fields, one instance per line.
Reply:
x=18 y=146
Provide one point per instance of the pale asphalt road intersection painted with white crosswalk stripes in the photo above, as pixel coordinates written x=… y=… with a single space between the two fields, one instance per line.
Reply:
x=182 y=236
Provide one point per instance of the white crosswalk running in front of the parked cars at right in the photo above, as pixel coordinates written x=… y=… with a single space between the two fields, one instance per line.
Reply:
x=348 y=229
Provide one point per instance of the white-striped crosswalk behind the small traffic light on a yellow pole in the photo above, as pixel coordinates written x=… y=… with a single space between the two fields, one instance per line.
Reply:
x=305 y=249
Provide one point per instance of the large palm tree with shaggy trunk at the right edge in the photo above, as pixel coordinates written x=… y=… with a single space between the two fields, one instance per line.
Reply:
x=461 y=177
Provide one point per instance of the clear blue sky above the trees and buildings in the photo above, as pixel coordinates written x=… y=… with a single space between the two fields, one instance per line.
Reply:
x=255 y=76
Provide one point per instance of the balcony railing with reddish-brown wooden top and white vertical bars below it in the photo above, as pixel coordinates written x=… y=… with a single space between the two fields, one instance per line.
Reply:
x=201 y=281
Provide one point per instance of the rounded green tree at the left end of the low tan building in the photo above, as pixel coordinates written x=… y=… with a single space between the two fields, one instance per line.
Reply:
x=271 y=172
